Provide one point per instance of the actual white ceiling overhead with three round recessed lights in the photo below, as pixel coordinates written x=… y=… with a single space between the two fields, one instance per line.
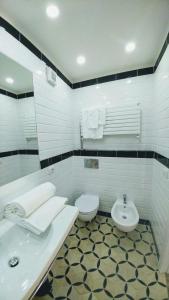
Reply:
x=99 y=29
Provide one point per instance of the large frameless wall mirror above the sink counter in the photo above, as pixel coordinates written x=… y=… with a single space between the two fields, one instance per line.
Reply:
x=18 y=132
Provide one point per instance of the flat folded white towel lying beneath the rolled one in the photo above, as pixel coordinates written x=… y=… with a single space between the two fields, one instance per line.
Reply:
x=40 y=220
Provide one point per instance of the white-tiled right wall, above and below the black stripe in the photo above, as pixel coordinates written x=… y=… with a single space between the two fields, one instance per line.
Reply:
x=160 y=178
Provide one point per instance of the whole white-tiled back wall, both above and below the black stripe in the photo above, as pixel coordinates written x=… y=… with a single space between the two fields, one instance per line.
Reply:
x=117 y=175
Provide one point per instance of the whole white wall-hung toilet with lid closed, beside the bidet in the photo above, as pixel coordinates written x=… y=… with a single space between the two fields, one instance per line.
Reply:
x=88 y=206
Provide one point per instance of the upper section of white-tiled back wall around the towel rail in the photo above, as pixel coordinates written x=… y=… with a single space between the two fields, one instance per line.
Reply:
x=118 y=93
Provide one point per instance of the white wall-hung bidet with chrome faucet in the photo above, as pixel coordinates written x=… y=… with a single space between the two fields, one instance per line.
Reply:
x=125 y=216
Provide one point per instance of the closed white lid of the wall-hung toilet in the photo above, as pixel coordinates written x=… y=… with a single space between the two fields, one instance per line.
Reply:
x=87 y=203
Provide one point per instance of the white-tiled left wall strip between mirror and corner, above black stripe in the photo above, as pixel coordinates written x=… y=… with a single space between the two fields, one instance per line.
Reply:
x=54 y=117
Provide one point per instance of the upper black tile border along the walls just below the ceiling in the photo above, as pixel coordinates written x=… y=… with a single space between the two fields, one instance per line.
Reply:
x=133 y=73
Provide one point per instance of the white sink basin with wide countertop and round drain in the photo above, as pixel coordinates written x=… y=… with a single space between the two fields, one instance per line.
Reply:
x=32 y=254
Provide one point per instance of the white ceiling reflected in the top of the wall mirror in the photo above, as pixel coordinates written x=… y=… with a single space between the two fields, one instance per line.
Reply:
x=23 y=80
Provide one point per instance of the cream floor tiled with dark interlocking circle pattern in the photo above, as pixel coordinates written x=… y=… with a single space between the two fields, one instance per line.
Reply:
x=98 y=262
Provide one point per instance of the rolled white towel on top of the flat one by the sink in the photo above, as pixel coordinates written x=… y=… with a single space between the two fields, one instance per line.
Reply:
x=27 y=203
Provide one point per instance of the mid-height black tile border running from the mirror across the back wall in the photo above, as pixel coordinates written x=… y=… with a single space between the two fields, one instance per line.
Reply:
x=106 y=153
